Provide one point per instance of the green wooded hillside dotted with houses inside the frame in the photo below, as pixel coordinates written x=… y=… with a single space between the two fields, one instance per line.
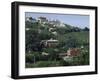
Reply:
x=47 y=44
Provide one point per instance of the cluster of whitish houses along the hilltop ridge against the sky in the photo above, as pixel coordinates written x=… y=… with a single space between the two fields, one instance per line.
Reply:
x=43 y=21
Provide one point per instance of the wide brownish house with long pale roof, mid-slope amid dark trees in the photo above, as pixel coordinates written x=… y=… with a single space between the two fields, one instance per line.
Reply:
x=49 y=43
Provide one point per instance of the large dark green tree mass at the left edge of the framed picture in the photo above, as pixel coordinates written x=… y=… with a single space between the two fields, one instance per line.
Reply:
x=32 y=40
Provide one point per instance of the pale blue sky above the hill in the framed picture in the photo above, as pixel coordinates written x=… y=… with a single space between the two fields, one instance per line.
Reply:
x=71 y=19
